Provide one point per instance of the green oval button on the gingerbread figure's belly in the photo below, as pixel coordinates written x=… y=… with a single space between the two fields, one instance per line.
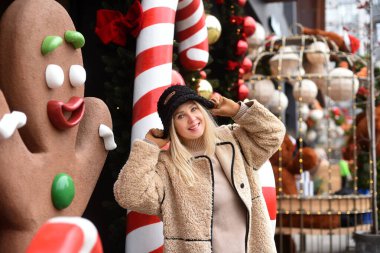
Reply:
x=62 y=191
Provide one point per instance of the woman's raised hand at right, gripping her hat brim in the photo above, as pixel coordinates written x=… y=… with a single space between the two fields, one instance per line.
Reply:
x=223 y=106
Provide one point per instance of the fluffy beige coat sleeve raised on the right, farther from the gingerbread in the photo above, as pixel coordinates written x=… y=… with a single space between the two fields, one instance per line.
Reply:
x=258 y=132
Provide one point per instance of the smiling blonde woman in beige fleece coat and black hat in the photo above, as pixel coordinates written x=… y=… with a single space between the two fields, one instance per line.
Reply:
x=205 y=186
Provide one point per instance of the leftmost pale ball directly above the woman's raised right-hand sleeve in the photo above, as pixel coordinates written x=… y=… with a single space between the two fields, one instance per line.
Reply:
x=261 y=90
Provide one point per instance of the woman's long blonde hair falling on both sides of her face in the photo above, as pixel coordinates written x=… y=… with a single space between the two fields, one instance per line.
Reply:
x=181 y=157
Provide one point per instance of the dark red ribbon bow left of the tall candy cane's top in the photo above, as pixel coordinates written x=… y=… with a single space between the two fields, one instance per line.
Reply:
x=113 y=26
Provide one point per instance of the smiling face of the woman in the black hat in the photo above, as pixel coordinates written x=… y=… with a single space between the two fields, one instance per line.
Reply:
x=189 y=122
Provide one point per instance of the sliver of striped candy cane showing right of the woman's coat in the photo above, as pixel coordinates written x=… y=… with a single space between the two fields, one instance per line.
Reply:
x=268 y=187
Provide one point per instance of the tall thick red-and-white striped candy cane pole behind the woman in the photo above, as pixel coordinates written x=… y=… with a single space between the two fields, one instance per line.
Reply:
x=154 y=52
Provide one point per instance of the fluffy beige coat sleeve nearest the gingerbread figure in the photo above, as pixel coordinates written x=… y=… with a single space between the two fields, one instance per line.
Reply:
x=139 y=186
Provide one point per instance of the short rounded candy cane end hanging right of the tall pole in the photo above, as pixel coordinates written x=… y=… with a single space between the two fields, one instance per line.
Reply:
x=192 y=34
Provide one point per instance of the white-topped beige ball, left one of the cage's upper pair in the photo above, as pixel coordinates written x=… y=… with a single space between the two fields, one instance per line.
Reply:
x=285 y=62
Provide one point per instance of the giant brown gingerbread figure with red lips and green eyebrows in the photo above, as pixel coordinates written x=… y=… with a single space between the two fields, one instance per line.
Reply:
x=42 y=76
